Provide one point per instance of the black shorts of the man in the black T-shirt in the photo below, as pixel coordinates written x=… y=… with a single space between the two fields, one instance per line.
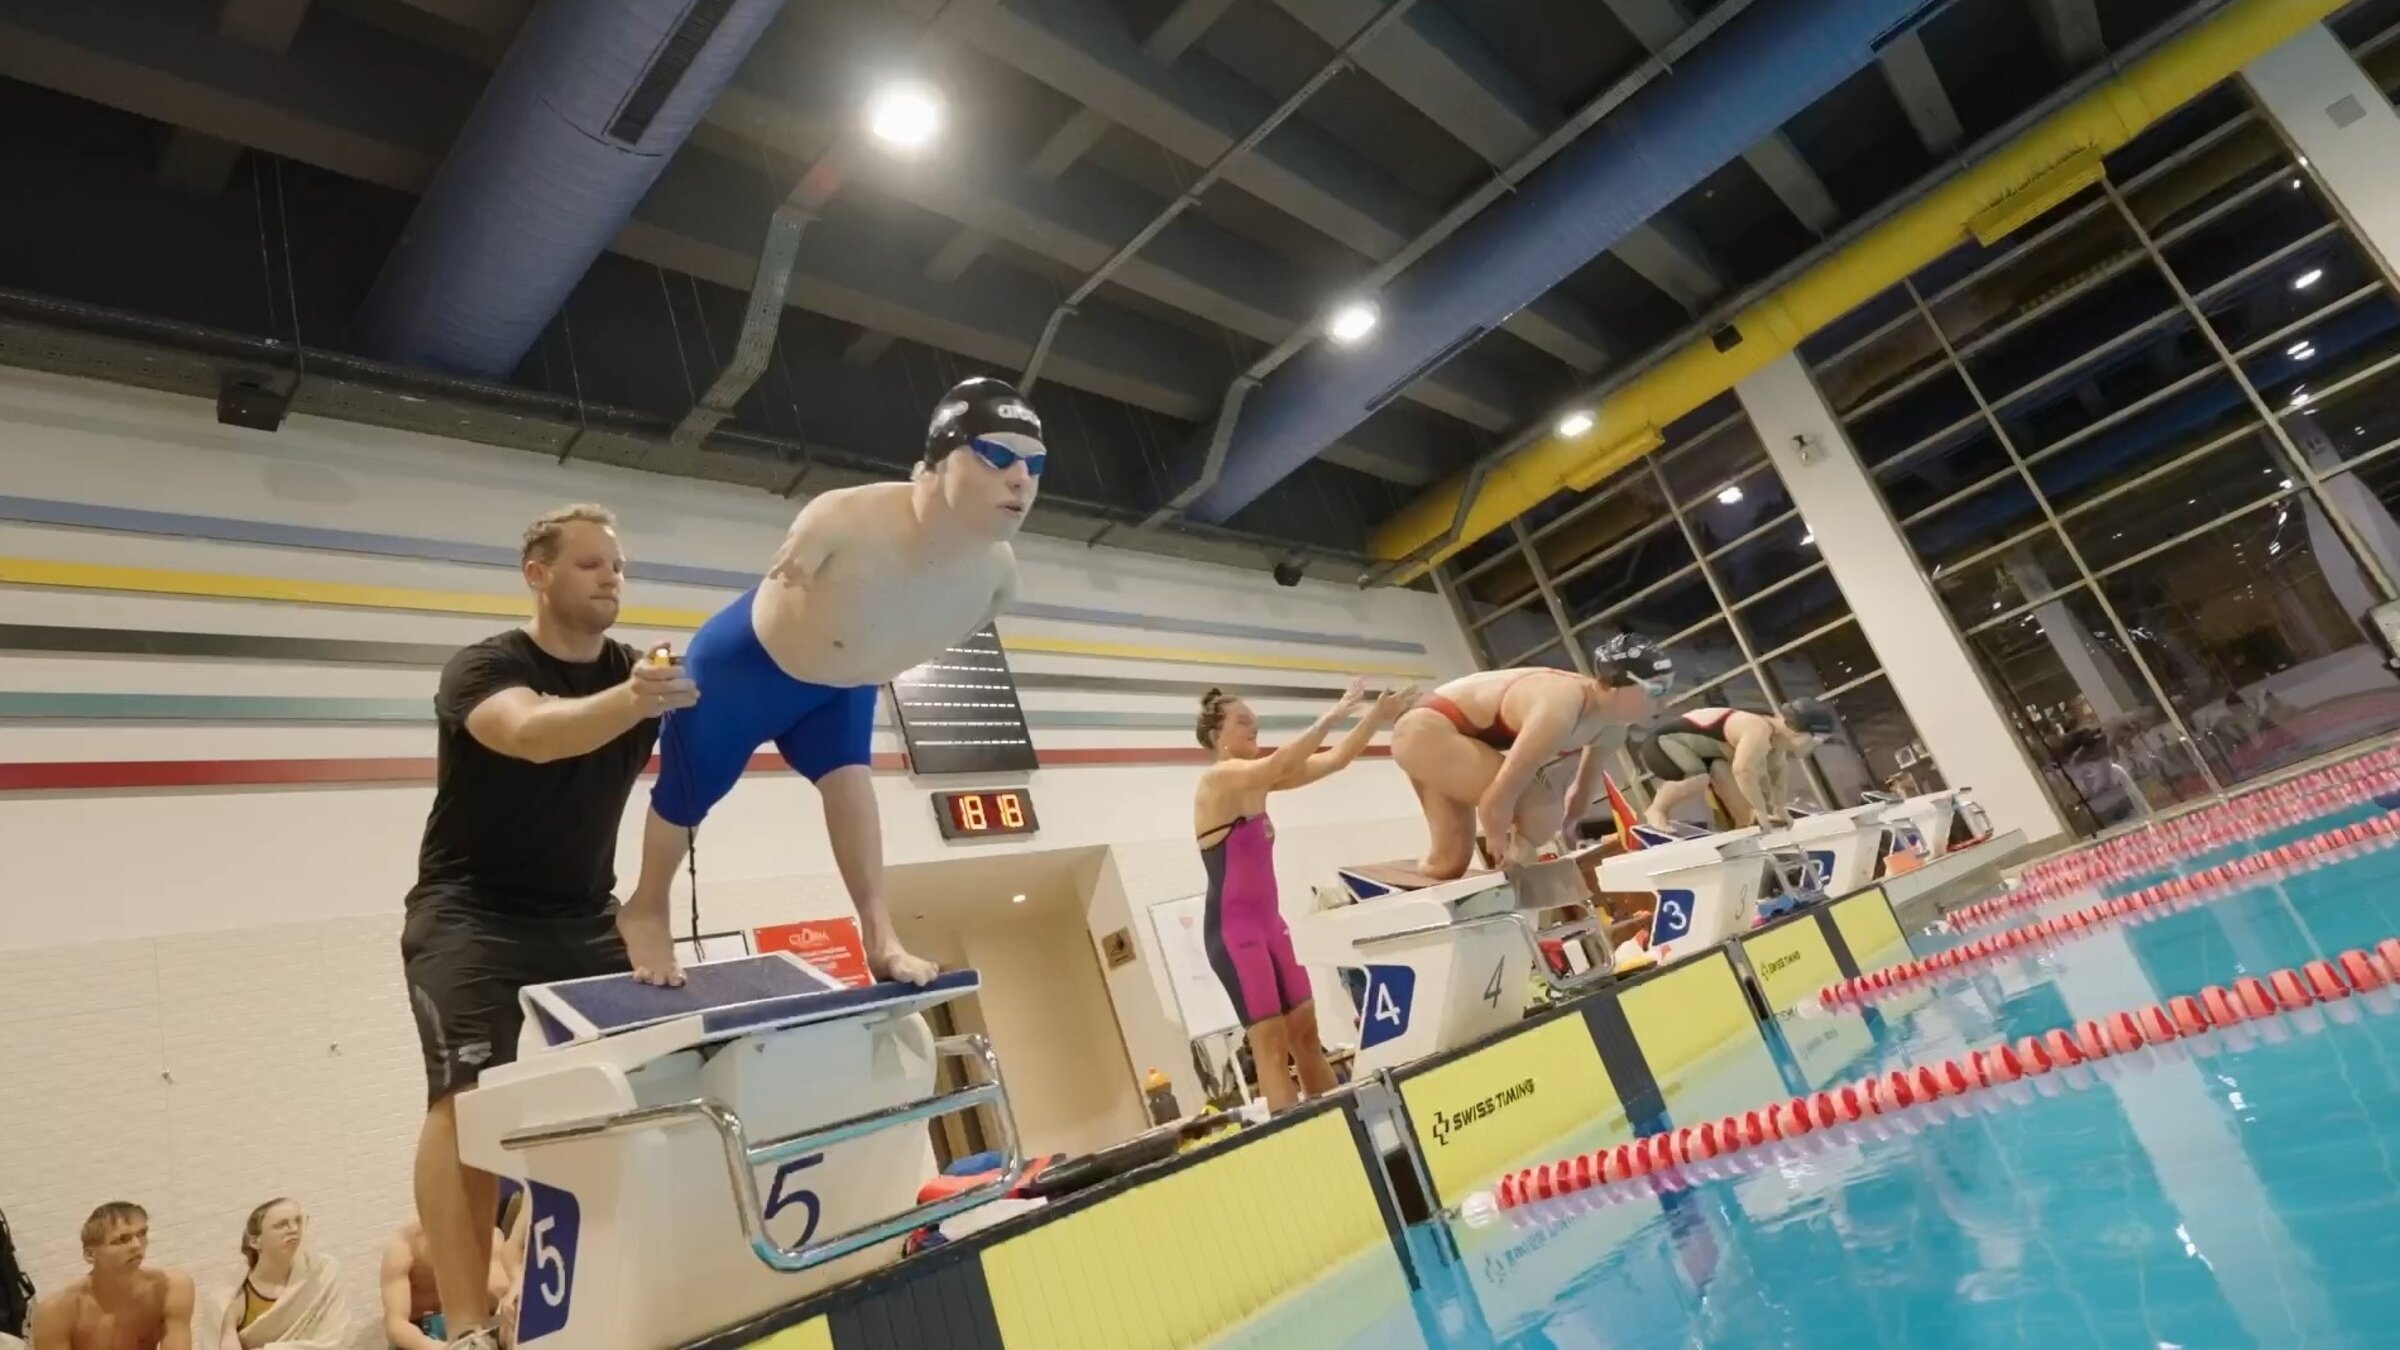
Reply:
x=467 y=969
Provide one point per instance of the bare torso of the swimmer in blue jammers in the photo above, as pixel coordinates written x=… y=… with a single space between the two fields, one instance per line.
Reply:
x=856 y=597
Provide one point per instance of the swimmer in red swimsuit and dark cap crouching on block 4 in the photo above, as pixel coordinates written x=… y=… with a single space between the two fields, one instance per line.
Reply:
x=1487 y=751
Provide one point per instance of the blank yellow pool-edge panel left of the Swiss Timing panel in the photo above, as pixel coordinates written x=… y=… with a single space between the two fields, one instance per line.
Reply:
x=1256 y=1221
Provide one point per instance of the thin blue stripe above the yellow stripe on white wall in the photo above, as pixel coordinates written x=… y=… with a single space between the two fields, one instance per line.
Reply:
x=222 y=530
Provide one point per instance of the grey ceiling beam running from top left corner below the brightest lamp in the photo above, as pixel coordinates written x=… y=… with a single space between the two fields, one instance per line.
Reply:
x=388 y=124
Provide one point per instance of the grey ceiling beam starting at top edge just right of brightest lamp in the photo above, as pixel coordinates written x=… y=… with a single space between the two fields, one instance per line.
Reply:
x=1196 y=109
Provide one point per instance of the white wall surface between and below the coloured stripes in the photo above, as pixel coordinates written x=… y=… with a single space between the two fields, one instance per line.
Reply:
x=203 y=984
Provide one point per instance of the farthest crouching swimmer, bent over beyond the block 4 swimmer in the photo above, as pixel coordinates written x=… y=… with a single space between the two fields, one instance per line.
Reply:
x=1736 y=753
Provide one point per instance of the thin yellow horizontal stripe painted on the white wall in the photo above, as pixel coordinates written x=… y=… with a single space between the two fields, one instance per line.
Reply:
x=414 y=599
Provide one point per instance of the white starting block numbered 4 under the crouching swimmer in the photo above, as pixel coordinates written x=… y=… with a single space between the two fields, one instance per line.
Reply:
x=1448 y=962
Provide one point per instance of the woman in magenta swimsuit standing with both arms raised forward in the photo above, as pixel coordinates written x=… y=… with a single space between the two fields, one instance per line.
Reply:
x=1247 y=938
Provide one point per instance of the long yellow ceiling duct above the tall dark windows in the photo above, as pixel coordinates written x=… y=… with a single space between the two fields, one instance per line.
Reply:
x=1883 y=258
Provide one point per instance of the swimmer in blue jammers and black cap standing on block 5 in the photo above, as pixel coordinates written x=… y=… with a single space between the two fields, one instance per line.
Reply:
x=868 y=585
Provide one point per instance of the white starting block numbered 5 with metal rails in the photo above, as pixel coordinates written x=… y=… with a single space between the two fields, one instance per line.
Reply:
x=707 y=1154
